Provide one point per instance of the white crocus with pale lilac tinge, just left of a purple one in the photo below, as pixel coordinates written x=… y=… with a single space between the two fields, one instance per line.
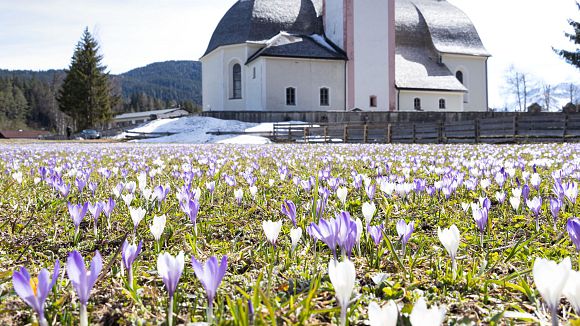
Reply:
x=170 y=269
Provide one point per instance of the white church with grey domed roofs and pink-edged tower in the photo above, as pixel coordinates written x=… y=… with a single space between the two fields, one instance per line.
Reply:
x=343 y=55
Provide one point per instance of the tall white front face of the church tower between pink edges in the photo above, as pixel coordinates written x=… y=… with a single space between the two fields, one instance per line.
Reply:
x=371 y=54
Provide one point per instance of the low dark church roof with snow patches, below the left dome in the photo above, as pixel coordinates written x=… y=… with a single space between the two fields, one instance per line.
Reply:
x=299 y=46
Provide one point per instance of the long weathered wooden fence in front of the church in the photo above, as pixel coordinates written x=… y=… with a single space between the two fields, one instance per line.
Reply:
x=517 y=129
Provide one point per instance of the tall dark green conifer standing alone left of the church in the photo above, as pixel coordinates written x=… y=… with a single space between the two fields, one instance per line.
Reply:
x=86 y=92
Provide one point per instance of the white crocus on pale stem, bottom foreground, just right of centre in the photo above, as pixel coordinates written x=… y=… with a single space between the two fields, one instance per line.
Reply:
x=343 y=276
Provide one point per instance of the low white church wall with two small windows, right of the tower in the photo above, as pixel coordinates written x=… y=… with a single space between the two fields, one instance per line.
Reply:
x=430 y=101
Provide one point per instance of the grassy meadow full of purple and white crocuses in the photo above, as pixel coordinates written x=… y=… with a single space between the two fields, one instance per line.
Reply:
x=292 y=234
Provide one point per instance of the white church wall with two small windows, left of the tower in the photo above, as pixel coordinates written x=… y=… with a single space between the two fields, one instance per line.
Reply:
x=307 y=76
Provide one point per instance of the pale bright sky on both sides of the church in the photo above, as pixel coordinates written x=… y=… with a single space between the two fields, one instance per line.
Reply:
x=42 y=34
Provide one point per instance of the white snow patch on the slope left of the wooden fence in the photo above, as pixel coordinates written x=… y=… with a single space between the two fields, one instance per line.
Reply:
x=194 y=130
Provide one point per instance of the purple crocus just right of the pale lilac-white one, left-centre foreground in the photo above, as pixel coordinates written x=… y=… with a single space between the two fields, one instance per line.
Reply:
x=210 y=275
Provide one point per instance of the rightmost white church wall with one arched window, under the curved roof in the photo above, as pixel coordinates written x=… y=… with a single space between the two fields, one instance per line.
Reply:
x=474 y=79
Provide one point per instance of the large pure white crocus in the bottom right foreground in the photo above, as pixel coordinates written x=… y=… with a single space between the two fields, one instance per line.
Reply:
x=550 y=279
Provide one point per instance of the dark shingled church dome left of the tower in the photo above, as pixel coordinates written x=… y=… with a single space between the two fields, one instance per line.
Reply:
x=259 y=20
